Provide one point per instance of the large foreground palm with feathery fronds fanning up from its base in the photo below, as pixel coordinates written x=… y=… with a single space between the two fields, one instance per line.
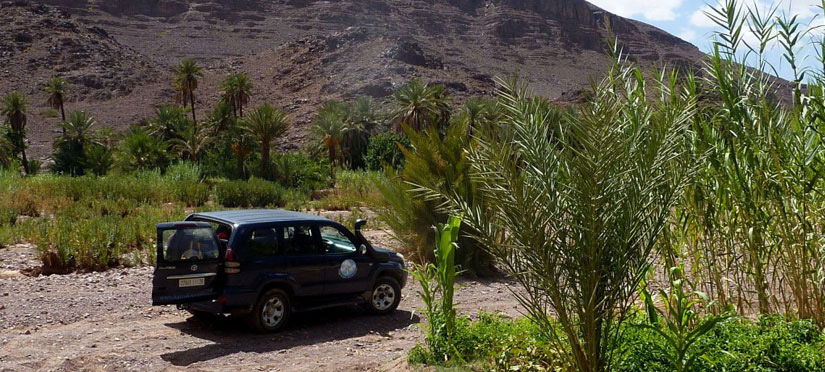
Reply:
x=572 y=211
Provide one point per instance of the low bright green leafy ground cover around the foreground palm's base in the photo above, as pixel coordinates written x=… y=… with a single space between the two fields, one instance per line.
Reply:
x=771 y=344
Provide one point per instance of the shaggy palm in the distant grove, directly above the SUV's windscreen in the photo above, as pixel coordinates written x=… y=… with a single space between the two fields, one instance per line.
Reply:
x=330 y=126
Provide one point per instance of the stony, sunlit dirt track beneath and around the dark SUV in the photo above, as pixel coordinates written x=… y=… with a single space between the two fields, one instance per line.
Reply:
x=104 y=322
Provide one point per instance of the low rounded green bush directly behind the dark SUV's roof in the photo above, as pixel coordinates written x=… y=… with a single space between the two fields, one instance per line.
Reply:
x=255 y=192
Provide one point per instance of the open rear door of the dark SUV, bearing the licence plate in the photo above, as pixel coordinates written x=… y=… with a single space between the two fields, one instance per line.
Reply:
x=188 y=262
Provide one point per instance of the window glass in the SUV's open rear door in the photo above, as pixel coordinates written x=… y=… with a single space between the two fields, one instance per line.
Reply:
x=189 y=244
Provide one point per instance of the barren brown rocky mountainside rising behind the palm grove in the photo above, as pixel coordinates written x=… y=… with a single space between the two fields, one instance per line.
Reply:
x=300 y=53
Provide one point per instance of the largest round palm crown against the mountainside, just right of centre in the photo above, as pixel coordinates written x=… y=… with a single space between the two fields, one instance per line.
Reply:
x=419 y=105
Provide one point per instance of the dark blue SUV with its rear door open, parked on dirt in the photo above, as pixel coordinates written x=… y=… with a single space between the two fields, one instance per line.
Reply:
x=266 y=264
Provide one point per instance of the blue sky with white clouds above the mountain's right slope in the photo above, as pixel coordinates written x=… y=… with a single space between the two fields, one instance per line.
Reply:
x=686 y=19
